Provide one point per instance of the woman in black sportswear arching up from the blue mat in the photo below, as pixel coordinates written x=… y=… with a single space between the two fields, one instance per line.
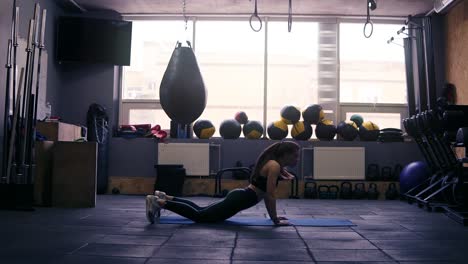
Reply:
x=268 y=170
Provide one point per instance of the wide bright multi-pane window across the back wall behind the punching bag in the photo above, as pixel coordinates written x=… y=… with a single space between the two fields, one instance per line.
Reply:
x=243 y=69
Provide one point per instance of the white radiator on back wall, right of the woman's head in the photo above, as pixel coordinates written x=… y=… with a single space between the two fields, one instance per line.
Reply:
x=339 y=163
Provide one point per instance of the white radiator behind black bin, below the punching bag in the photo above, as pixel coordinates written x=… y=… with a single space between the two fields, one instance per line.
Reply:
x=194 y=156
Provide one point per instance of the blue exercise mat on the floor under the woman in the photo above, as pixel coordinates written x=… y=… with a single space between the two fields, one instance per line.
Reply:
x=258 y=221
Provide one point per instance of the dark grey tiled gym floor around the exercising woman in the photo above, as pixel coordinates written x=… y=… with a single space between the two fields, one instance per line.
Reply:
x=116 y=232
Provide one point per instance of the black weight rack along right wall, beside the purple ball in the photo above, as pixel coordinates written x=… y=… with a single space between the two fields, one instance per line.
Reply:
x=437 y=132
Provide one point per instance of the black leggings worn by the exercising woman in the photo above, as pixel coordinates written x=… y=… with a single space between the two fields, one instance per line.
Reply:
x=234 y=202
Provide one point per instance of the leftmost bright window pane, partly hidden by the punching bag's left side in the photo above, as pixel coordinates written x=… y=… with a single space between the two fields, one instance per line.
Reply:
x=152 y=46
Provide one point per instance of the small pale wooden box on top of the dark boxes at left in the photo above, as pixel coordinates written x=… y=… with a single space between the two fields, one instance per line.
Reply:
x=59 y=131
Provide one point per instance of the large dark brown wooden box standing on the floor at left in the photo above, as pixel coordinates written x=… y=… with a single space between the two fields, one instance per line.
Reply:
x=74 y=174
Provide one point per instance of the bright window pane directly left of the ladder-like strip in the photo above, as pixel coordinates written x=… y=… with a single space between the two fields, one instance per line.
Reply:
x=292 y=66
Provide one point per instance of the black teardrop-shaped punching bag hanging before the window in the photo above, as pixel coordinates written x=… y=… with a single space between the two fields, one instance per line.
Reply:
x=182 y=93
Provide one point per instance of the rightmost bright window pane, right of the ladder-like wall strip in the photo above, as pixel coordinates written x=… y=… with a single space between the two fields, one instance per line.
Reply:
x=372 y=75
